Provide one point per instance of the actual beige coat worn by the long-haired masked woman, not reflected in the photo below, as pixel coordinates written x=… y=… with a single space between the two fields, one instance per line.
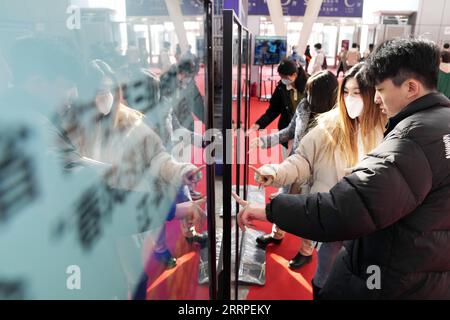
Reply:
x=311 y=169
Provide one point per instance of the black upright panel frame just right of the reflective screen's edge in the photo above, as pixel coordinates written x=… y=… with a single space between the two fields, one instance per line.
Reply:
x=229 y=22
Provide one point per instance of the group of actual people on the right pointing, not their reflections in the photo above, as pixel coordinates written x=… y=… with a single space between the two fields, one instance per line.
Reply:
x=368 y=175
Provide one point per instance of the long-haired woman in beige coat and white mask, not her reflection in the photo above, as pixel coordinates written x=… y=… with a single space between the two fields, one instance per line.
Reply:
x=326 y=154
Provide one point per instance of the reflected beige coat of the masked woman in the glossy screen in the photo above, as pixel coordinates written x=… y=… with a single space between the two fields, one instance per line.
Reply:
x=134 y=150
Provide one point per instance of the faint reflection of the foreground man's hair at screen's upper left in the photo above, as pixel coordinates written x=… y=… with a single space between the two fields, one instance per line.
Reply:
x=46 y=57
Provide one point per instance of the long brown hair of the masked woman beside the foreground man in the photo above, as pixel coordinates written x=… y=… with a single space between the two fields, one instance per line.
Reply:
x=342 y=136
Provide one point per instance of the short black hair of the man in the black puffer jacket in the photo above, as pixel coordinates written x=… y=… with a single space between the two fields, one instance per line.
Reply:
x=401 y=59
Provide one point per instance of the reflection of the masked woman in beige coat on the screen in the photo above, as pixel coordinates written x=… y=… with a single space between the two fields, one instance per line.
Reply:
x=104 y=129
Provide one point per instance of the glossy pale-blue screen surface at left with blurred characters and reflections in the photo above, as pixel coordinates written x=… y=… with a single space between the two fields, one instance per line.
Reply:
x=103 y=116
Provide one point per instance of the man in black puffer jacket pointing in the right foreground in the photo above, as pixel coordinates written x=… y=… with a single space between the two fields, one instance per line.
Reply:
x=395 y=206
